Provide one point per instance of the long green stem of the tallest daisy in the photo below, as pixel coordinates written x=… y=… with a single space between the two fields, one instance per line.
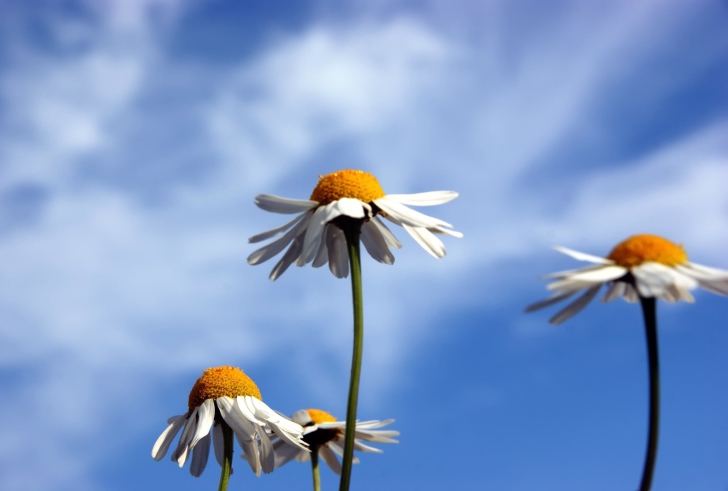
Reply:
x=352 y=231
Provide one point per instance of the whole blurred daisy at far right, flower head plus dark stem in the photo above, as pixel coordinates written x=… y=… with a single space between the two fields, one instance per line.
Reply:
x=642 y=268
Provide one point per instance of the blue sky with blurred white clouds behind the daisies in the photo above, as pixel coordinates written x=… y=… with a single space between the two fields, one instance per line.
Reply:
x=134 y=136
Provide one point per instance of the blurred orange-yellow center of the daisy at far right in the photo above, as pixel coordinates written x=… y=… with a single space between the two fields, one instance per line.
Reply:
x=643 y=248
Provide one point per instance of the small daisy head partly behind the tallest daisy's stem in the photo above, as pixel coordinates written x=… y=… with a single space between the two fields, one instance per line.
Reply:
x=321 y=430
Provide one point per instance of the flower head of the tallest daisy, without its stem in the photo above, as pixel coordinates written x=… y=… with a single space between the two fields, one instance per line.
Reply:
x=314 y=235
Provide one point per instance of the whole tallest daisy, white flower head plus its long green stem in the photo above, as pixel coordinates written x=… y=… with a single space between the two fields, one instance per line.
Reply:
x=344 y=210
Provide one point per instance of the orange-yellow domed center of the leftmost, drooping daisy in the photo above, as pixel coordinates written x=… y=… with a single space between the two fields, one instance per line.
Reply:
x=222 y=381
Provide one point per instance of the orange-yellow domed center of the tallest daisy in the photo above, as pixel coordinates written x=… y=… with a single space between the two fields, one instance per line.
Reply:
x=347 y=183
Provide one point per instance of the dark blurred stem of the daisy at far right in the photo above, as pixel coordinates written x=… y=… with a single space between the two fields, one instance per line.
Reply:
x=649 y=310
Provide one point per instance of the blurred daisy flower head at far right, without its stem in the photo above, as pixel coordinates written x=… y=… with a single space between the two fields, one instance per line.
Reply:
x=641 y=266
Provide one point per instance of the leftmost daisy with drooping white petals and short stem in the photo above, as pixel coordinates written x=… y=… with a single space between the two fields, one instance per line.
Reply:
x=229 y=402
